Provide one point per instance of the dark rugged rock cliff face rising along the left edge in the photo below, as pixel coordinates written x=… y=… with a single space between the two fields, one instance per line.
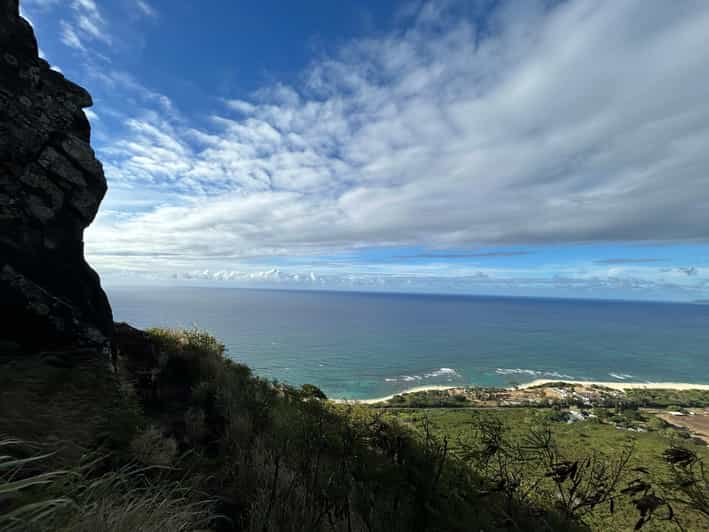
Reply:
x=51 y=185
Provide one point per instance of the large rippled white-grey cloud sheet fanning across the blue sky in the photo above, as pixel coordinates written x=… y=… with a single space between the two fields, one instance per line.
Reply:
x=540 y=124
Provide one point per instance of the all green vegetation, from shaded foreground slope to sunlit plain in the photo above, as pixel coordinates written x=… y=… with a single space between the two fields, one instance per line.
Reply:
x=181 y=438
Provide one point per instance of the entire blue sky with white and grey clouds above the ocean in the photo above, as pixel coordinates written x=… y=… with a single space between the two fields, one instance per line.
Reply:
x=534 y=148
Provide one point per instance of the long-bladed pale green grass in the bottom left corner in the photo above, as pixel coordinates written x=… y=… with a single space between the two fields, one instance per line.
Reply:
x=131 y=498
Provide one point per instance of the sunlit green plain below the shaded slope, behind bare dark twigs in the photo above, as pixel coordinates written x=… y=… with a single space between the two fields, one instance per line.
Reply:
x=527 y=462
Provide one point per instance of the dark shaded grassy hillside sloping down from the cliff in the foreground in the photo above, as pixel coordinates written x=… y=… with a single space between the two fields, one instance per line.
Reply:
x=195 y=441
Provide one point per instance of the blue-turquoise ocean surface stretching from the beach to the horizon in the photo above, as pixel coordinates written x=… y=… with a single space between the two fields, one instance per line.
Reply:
x=357 y=345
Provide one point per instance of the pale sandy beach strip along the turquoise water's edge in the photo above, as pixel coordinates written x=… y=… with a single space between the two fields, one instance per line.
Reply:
x=613 y=385
